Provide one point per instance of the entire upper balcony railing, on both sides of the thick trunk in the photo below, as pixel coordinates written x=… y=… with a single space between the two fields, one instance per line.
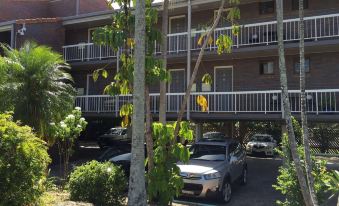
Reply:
x=265 y=33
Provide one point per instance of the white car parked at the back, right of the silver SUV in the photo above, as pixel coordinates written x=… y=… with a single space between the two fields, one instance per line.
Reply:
x=261 y=143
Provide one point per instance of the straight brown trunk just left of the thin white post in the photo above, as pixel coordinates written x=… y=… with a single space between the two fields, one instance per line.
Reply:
x=164 y=31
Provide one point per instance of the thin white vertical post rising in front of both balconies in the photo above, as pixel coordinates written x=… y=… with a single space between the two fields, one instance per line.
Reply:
x=189 y=15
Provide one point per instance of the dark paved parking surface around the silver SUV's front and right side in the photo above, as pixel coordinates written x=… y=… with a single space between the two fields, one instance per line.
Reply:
x=262 y=173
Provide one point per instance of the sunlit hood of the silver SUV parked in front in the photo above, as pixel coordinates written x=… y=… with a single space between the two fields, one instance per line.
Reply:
x=199 y=166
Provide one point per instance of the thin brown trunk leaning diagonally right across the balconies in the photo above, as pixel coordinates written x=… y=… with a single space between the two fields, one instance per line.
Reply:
x=196 y=68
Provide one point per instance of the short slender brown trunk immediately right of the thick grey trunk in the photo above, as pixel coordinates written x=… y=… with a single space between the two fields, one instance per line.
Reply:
x=149 y=140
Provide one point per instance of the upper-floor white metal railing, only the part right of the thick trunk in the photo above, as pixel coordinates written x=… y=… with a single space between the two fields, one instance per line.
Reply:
x=264 y=33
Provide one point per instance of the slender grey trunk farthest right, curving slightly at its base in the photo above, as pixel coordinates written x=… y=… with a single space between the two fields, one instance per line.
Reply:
x=308 y=161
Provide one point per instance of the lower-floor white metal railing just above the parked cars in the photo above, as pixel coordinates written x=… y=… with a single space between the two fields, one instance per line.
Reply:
x=318 y=102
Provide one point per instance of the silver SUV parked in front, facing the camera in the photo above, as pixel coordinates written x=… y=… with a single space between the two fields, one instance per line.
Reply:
x=212 y=169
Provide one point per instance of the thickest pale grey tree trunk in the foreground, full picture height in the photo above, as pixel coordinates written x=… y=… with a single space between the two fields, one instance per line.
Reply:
x=137 y=190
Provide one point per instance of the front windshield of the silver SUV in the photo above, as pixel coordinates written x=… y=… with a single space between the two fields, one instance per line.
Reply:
x=208 y=152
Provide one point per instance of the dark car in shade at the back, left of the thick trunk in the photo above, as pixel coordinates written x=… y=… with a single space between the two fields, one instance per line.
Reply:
x=114 y=136
